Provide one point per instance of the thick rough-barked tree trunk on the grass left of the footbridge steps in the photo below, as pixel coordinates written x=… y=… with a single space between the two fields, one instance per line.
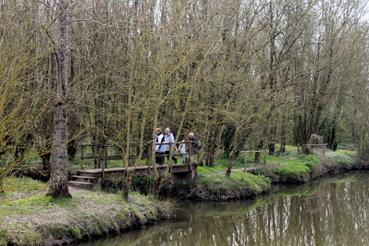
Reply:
x=58 y=186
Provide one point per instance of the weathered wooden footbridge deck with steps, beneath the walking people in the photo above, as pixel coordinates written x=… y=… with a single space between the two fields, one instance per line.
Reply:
x=90 y=177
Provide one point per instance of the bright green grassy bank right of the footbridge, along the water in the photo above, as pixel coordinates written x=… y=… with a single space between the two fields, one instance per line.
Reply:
x=291 y=168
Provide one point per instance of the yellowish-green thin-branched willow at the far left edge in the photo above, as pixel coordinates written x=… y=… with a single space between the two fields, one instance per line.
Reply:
x=19 y=101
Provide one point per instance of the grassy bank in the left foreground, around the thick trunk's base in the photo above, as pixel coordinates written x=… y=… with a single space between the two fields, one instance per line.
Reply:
x=28 y=217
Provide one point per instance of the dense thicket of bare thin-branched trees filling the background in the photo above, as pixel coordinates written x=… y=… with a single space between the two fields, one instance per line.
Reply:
x=240 y=74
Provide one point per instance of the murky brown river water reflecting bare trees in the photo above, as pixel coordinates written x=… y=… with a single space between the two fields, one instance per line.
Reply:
x=334 y=211
